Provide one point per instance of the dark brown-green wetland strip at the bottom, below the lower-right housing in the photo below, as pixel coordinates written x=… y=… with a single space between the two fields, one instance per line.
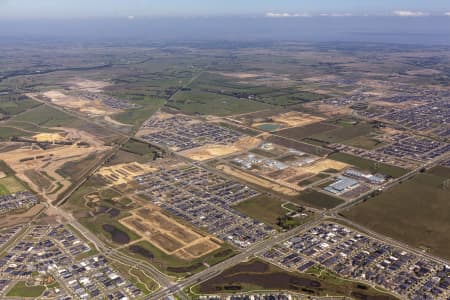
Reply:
x=259 y=275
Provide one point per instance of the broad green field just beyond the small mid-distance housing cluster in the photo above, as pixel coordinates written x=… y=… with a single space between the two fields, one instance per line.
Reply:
x=206 y=103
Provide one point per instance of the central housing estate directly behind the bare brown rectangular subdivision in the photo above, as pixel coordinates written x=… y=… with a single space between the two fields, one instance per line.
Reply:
x=204 y=199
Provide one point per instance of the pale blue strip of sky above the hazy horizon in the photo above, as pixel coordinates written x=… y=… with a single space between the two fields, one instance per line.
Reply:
x=274 y=8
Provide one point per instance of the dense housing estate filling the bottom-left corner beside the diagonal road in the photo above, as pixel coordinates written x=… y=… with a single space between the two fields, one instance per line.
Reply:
x=59 y=256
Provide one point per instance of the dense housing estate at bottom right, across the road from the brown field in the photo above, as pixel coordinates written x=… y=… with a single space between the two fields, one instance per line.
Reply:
x=352 y=254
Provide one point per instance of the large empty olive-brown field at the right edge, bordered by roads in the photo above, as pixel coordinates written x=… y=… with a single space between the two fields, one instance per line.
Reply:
x=416 y=212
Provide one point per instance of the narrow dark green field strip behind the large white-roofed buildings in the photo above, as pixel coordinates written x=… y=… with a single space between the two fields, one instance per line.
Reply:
x=369 y=165
